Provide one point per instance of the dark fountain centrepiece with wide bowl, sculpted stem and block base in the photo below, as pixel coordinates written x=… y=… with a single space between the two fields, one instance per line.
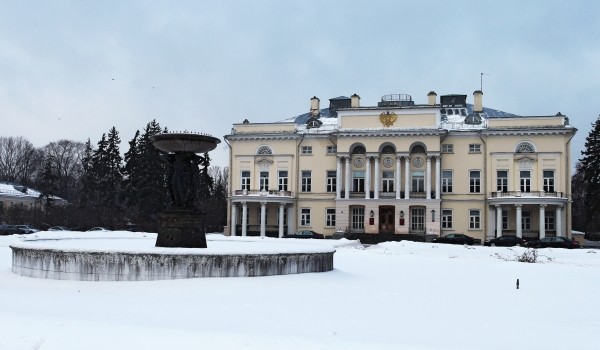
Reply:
x=182 y=224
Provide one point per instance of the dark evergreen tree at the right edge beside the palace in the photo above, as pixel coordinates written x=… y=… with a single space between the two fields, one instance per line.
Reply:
x=590 y=168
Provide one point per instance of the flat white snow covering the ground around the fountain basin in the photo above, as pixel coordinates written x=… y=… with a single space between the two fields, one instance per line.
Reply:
x=401 y=295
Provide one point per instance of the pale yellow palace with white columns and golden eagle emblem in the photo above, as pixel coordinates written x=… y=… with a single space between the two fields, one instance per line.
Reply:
x=401 y=168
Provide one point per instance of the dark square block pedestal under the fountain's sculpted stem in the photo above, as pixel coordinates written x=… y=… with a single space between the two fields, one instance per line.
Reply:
x=181 y=229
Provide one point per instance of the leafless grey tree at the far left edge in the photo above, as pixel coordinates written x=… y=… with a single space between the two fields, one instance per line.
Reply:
x=19 y=160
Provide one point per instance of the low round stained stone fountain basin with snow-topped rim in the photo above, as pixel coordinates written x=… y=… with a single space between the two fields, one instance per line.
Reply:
x=173 y=263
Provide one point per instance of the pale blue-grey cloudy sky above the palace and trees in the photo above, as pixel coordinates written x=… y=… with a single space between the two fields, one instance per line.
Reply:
x=73 y=69
